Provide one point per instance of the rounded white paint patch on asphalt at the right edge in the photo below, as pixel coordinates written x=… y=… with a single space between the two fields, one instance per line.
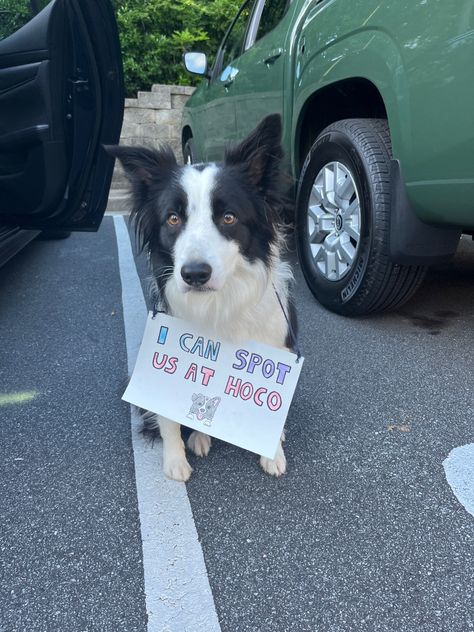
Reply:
x=459 y=470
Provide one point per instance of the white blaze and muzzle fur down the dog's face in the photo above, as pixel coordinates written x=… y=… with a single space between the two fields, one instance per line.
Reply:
x=200 y=240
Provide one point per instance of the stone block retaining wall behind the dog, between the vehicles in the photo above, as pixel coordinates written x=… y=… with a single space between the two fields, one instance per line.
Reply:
x=150 y=119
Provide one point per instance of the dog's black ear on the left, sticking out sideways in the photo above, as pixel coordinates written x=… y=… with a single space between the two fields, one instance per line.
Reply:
x=142 y=165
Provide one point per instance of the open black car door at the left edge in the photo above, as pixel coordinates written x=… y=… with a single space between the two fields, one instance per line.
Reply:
x=61 y=98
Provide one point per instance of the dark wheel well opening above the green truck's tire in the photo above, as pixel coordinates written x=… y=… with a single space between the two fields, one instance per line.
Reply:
x=352 y=98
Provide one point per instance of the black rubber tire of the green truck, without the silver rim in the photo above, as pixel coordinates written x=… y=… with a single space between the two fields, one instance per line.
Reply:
x=371 y=283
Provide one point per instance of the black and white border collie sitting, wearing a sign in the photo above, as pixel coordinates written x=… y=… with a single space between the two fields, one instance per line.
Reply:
x=212 y=235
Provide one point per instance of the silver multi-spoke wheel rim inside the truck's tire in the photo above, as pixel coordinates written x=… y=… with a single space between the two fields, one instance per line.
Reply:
x=334 y=221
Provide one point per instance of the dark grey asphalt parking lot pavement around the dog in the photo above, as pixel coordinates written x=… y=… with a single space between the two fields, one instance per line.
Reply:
x=364 y=533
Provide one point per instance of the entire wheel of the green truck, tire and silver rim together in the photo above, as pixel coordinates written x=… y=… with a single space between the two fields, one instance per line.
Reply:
x=343 y=221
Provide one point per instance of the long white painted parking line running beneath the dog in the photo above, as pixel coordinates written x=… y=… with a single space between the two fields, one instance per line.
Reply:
x=177 y=591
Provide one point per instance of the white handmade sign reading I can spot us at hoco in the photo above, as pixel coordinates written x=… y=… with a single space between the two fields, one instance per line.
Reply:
x=240 y=393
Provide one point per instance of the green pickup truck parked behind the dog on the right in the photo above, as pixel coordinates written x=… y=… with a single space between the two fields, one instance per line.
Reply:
x=377 y=104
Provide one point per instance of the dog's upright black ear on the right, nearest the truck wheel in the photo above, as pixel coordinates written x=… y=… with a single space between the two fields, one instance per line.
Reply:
x=260 y=153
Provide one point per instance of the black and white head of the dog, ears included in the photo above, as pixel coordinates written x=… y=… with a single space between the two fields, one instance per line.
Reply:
x=200 y=222
